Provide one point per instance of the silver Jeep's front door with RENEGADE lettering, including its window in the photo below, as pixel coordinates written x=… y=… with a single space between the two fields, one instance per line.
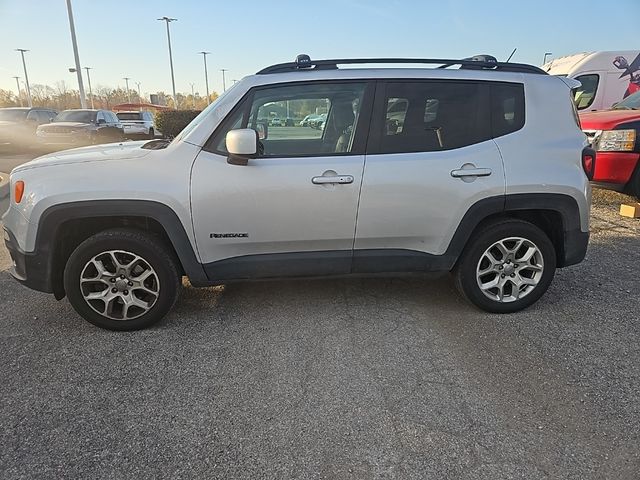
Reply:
x=292 y=210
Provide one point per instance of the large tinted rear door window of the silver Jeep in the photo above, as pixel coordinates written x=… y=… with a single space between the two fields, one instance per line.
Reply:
x=433 y=116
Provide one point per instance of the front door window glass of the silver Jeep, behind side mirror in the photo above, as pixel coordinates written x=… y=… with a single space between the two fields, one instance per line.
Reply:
x=314 y=119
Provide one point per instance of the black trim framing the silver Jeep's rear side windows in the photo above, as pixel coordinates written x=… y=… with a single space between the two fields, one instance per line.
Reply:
x=379 y=110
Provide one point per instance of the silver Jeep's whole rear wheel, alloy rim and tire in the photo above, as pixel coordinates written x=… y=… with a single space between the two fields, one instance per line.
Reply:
x=506 y=267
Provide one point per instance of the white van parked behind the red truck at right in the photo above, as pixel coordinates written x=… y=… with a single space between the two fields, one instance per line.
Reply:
x=606 y=77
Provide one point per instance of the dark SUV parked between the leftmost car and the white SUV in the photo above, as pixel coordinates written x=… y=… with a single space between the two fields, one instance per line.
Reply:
x=81 y=127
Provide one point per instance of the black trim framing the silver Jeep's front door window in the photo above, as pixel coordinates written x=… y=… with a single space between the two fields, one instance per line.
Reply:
x=362 y=128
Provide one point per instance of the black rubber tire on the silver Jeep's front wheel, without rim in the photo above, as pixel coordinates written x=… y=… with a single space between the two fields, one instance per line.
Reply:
x=151 y=250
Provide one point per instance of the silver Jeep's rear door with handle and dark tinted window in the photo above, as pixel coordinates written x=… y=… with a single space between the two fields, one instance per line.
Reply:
x=430 y=157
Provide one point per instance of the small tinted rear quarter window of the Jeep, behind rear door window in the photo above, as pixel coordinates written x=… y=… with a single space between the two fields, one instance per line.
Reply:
x=507 y=108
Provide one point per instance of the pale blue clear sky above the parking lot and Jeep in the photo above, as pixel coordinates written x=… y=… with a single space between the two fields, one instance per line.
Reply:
x=122 y=38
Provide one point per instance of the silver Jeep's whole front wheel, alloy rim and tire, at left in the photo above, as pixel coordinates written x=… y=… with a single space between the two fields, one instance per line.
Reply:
x=121 y=280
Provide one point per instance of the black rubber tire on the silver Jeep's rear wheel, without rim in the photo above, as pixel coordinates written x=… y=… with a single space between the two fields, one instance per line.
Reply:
x=465 y=273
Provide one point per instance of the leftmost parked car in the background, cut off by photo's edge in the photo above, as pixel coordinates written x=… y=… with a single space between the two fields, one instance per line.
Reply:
x=18 y=125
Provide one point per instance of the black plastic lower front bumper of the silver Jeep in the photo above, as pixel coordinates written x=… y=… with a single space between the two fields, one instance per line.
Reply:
x=30 y=269
